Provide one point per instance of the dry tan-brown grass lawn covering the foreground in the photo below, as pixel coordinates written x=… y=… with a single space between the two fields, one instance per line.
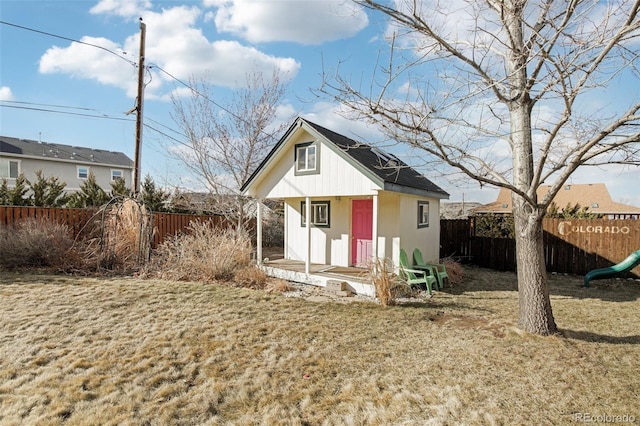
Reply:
x=85 y=351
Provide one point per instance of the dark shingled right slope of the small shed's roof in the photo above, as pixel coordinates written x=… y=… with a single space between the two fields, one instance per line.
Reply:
x=388 y=167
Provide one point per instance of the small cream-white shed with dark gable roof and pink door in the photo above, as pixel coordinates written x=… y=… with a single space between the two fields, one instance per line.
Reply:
x=360 y=201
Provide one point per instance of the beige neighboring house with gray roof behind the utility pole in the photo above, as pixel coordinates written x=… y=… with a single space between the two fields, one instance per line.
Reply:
x=70 y=164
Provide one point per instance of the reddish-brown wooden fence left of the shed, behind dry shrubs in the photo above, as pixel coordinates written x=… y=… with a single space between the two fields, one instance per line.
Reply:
x=166 y=224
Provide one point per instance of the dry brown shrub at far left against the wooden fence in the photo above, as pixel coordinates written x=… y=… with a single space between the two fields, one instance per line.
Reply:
x=35 y=243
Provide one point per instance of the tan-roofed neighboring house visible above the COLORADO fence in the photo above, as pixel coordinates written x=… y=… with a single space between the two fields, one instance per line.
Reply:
x=594 y=196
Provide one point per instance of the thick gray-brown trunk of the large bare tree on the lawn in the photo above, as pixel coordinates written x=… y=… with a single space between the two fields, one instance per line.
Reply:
x=535 y=314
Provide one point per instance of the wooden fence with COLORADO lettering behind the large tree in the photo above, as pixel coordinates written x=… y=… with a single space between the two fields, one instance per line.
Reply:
x=572 y=246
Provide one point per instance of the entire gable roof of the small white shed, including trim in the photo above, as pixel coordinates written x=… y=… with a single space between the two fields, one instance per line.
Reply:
x=391 y=172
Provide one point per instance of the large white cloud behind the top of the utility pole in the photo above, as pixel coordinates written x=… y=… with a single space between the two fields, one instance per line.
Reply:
x=173 y=43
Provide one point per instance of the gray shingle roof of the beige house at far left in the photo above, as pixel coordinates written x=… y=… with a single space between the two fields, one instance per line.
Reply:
x=58 y=152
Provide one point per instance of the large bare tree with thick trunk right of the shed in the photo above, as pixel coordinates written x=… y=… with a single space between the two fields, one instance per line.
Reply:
x=504 y=91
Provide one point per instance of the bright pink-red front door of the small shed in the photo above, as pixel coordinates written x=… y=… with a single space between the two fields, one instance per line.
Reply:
x=361 y=232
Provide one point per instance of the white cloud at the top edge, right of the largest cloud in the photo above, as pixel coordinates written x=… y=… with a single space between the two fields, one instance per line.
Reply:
x=305 y=22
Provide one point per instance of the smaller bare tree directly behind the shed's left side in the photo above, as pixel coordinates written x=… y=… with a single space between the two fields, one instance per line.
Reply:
x=227 y=140
